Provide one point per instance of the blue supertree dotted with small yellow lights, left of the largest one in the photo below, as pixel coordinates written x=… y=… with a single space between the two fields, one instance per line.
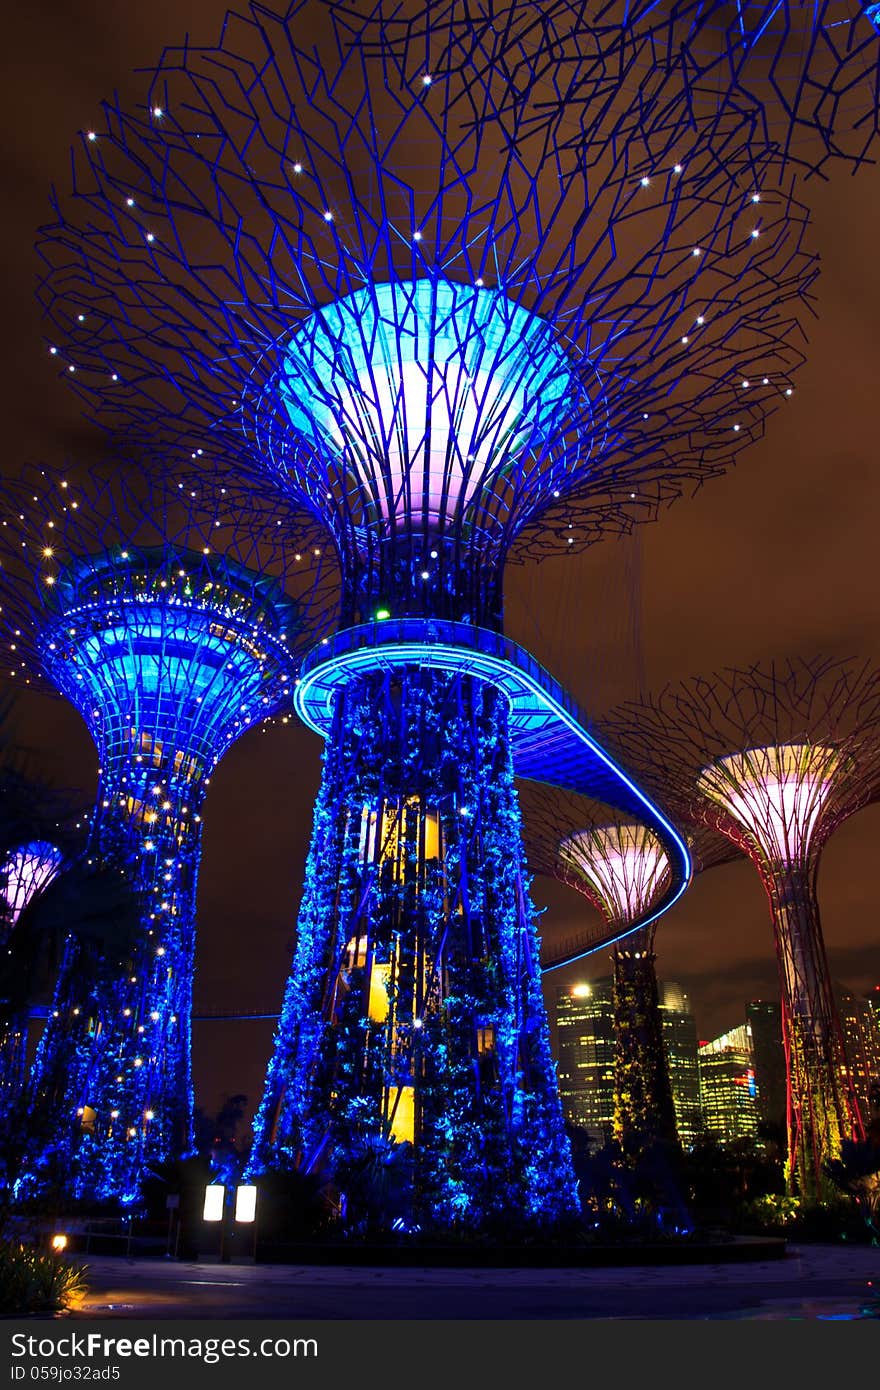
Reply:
x=145 y=615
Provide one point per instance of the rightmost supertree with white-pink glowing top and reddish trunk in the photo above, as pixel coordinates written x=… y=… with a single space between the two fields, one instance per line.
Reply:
x=775 y=758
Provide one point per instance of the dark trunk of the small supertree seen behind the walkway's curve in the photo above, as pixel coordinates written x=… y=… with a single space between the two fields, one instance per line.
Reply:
x=644 y=1110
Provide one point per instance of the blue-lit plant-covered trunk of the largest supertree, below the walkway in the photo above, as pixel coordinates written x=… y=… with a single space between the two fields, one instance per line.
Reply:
x=414 y=1014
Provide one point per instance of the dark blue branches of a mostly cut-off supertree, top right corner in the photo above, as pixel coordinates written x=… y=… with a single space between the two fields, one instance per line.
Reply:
x=804 y=79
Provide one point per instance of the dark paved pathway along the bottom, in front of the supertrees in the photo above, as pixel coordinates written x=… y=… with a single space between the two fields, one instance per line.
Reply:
x=811 y=1282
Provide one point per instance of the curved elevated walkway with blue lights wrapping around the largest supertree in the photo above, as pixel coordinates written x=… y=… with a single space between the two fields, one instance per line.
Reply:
x=575 y=760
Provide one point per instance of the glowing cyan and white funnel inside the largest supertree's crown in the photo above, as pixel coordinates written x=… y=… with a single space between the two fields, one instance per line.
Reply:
x=425 y=390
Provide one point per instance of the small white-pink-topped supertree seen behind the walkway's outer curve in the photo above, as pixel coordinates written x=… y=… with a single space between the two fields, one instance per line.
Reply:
x=622 y=869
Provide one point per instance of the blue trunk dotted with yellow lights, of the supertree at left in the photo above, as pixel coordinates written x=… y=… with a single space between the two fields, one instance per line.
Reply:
x=113 y=1075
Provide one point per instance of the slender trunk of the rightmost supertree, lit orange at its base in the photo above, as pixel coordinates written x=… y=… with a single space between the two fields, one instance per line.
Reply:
x=822 y=1107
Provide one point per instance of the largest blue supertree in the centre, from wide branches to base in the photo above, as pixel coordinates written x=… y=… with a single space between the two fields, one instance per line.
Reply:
x=368 y=284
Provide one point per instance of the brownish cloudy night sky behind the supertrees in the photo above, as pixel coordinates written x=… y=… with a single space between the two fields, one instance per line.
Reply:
x=779 y=558
